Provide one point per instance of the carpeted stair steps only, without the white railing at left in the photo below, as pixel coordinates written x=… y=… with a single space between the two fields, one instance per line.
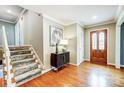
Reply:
x=24 y=63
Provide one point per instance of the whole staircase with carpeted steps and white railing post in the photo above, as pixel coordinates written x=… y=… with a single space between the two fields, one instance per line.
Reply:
x=20 y=63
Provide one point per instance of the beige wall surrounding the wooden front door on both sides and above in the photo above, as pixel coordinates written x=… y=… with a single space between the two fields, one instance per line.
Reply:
x=110 y=41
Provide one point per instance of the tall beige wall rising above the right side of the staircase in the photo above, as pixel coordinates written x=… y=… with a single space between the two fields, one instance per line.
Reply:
x=33 y=31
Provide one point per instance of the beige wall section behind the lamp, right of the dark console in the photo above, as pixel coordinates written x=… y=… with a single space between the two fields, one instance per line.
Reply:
x=71 y=34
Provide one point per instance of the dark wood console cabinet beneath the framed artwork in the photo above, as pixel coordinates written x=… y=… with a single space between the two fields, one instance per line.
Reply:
x=60 y=59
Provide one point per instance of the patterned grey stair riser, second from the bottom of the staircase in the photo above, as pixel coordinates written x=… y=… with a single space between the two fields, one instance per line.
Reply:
x=24 y=70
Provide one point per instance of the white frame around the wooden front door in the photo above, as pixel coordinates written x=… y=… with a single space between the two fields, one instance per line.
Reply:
x=107 y=42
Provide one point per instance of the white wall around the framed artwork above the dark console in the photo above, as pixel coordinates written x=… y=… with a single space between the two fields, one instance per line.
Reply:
x=46 y=41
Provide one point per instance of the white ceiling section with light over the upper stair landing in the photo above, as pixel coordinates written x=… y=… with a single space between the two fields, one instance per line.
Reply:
x=10 y=13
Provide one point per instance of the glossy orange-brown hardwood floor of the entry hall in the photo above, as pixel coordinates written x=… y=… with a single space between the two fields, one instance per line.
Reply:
x=86 y=75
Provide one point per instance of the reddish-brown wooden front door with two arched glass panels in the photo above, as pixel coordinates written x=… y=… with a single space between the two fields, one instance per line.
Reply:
x=98 y=46
